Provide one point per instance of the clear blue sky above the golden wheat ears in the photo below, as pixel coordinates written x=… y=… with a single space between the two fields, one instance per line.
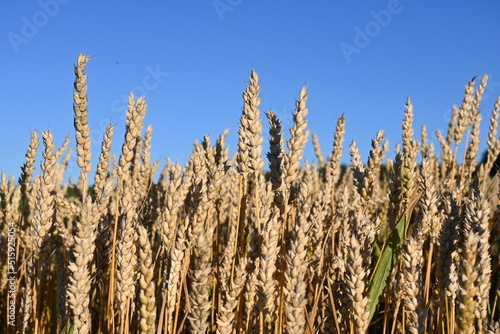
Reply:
x=192 y=61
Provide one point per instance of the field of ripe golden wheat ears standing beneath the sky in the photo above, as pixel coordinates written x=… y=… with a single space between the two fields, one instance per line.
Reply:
x=243 y=244
